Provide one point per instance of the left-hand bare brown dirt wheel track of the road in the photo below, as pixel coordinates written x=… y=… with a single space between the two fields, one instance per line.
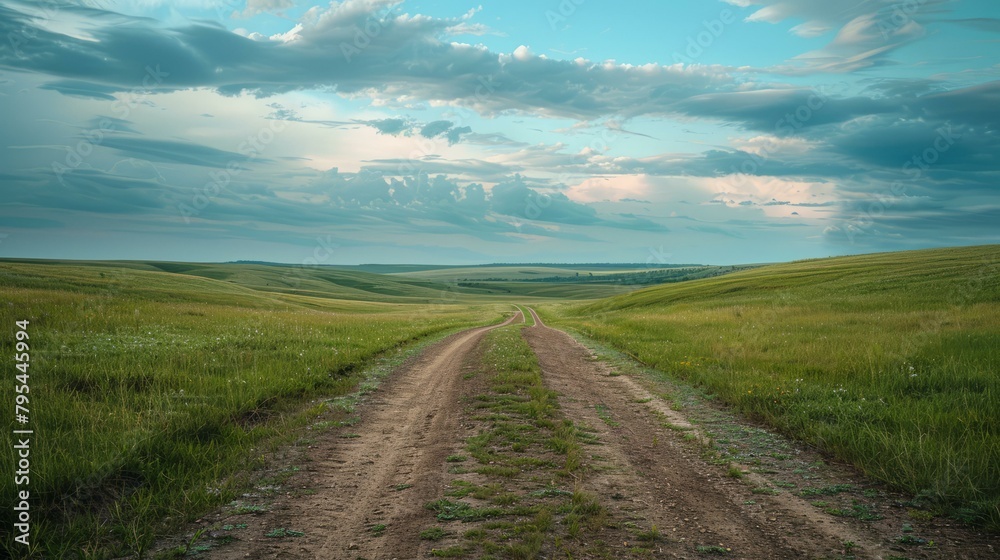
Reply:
x=407 y=429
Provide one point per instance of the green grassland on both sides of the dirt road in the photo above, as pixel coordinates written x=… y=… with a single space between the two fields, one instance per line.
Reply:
x=156 y=386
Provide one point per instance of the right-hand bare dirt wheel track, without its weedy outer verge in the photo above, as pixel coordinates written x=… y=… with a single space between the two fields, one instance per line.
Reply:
x=657 y=477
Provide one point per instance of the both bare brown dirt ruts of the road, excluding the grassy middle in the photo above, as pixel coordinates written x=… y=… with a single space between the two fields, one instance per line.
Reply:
x=365 y=488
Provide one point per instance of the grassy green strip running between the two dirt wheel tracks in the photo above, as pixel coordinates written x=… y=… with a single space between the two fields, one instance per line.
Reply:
x=518 y=486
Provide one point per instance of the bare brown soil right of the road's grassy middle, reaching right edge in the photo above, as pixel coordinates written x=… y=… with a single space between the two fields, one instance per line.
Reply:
x=658 y=470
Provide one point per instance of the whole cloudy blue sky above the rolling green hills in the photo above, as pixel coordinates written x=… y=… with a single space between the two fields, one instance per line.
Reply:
x=434 y=132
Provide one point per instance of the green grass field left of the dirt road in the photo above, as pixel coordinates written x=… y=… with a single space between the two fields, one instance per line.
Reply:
x=150 y=391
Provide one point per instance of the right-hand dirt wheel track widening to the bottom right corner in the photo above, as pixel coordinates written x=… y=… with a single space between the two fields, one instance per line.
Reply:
x=671 y=485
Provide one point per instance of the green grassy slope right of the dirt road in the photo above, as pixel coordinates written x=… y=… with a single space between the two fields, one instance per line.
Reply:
x=890 y=361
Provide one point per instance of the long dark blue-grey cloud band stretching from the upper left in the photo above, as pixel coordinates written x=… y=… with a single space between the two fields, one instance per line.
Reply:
x=406 y=58
